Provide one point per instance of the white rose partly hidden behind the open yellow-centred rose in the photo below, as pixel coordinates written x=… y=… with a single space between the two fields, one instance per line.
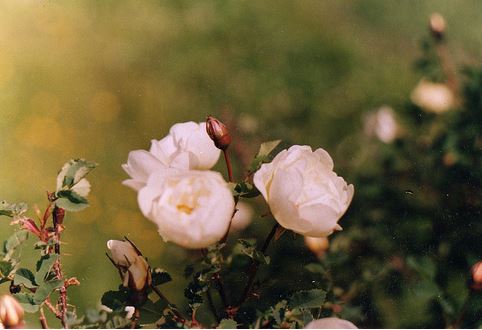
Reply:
x=187 y=146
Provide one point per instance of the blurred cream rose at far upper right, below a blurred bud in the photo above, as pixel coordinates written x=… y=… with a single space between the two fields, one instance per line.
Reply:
x=432 y=97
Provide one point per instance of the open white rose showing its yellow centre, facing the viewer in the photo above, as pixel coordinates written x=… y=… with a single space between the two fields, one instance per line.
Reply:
x=191 y=208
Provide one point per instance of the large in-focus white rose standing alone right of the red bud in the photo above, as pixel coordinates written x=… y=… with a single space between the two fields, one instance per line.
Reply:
x=303 y=192
